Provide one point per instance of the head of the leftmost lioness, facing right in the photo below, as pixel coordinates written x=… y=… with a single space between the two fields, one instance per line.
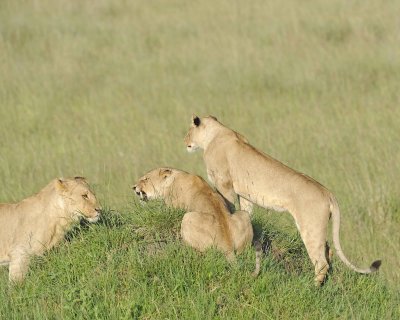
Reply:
x=77 y=199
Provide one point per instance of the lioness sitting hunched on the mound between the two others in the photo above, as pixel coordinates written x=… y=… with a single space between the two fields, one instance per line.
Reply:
x=208 y=222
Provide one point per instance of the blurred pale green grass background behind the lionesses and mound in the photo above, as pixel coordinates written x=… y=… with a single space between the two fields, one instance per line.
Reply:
x=106 y=89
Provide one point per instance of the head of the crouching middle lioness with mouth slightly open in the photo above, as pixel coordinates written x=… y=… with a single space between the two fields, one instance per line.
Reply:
x=153 y=183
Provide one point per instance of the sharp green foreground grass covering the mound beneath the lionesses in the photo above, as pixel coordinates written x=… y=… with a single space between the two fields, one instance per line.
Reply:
x=133 y=266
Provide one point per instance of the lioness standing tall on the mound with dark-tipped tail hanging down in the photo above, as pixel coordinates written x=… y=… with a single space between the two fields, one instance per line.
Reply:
x=238 y=169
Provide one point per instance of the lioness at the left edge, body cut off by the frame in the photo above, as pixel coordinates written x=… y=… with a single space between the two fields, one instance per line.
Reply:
x=38 y=223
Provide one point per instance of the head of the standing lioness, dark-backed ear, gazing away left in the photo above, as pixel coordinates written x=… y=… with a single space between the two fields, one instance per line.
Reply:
x=200 y=132
